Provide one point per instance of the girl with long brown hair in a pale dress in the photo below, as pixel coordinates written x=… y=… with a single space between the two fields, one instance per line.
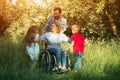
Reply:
x=31 y=41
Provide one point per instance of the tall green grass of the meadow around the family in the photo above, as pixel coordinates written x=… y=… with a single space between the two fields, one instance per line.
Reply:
x=101 y=61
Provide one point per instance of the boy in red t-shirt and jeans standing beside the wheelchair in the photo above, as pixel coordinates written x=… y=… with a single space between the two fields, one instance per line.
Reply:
x=78 y=42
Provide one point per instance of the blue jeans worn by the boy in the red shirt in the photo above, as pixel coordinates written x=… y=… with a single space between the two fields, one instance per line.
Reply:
x=77 y=61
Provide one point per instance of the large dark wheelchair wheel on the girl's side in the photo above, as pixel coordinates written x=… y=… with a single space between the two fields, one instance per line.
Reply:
x=45 y=61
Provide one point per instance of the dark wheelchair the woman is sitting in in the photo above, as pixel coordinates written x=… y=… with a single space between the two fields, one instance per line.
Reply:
x=47 y=61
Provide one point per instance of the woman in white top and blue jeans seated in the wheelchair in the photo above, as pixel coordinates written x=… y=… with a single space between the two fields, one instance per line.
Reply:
x=54 y=39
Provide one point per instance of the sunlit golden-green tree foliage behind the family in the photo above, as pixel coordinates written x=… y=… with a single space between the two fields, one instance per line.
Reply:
x=89 y=14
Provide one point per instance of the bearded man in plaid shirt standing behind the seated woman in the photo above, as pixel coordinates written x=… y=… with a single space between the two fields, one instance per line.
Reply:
x=57 y=18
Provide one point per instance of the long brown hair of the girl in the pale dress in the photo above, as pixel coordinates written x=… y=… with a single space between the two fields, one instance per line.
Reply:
x=30 y=36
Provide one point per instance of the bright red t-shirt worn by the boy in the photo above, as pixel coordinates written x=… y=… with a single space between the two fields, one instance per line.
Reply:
x=78 y=43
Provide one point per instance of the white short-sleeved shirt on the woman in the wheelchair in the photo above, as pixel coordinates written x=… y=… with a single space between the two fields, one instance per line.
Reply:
x=54 y=40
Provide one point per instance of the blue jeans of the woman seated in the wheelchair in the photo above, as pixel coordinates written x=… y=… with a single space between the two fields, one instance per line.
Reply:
x=60 y=56
